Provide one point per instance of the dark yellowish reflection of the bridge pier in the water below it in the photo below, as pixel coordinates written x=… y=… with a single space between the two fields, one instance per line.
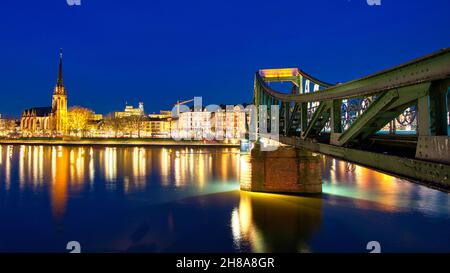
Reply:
x=275 y=223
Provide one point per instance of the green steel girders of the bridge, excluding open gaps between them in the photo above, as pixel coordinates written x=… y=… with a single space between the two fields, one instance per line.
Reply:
x=423 y=82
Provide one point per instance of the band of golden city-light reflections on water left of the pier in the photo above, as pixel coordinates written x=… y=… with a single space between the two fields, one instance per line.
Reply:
x=66 y=170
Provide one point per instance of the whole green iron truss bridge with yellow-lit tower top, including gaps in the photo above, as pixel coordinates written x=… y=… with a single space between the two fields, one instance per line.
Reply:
x=395 y=120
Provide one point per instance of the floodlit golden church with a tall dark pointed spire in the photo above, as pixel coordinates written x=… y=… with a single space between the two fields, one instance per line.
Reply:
x=48 y=121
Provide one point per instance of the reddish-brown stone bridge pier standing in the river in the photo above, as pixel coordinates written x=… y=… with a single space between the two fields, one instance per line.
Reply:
x=286 y=170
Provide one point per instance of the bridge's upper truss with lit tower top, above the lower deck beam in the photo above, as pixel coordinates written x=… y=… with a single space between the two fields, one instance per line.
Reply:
x=415 y=92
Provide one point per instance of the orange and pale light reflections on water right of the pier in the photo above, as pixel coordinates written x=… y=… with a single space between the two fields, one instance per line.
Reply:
x=370 y=189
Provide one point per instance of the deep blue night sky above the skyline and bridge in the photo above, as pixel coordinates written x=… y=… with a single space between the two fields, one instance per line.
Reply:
x=159 y=51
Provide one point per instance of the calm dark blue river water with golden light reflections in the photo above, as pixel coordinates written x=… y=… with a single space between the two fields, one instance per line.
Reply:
x=135 y=199
